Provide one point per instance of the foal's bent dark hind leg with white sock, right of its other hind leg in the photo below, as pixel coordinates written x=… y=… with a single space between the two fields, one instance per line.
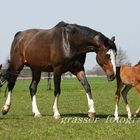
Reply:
x=124 y=94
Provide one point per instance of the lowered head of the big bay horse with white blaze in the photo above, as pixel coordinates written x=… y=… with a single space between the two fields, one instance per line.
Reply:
x=106 y=56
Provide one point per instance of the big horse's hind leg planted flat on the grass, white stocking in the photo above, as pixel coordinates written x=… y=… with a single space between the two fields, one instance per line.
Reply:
x=33 y=88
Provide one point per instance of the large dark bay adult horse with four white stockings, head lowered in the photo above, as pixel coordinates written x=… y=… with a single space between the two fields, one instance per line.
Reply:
x=59 y=49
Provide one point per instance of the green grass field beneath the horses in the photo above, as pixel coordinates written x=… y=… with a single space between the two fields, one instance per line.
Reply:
x=19 y=123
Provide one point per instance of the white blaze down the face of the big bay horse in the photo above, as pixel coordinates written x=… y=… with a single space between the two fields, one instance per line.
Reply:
x=113 y=60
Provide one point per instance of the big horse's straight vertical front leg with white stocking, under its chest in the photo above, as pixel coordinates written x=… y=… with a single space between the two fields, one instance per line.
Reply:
x=57 y=80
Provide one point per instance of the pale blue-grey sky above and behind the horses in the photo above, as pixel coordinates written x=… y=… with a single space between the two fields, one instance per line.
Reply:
x=120 y=18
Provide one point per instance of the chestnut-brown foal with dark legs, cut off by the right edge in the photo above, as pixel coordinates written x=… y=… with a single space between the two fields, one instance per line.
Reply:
x=127 y=76
